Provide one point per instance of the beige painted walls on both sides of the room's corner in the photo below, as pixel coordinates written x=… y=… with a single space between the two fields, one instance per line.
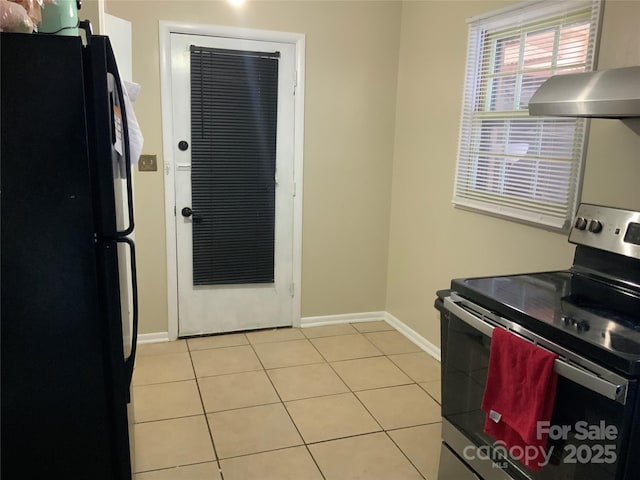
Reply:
x=383 y=99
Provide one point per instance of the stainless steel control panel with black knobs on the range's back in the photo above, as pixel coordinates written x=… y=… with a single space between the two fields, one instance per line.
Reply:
x=612 y=229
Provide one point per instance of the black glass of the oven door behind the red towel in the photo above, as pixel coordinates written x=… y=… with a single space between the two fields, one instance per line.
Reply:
x=588 y=429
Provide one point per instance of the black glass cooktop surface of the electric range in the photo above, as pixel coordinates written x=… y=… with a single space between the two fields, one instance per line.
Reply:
x=577 y=312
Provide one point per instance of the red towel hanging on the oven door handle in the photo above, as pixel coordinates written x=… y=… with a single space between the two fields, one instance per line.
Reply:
x=520 y=392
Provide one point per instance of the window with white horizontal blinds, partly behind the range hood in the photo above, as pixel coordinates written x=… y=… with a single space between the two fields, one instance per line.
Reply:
x=510 y=164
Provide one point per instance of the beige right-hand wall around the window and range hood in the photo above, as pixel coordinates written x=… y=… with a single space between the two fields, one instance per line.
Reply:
x=432 y=242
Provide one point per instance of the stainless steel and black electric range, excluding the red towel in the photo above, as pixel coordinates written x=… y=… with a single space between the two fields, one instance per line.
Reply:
x=590 y=316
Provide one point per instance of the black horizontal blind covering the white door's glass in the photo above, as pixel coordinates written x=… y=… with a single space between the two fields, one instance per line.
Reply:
x=234 y=99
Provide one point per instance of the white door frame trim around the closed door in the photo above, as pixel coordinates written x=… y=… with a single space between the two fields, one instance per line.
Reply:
x=166 y=28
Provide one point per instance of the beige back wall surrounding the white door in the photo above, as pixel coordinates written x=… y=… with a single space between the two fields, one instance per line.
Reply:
x=351 y=55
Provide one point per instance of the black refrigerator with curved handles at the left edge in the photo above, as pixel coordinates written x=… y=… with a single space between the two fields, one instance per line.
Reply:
x=68 y=284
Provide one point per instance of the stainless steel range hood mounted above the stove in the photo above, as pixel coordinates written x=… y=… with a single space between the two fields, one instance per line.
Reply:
x=613 y=93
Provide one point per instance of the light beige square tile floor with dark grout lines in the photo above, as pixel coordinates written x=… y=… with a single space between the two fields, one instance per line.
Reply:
x=337 y=402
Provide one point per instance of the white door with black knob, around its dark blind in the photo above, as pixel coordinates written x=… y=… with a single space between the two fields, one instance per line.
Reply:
x=218 y=305
